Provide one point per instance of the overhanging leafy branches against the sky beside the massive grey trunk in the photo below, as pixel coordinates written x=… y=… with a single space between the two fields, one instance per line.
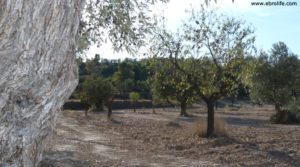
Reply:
x=123 y=22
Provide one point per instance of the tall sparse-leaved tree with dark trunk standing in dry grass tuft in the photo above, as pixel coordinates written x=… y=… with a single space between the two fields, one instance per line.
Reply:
x=217 y=45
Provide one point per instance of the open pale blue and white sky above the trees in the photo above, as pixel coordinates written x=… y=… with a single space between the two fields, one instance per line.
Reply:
x=271 y=23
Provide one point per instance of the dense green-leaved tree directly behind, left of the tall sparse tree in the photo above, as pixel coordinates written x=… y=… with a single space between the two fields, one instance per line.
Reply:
x=168 y=84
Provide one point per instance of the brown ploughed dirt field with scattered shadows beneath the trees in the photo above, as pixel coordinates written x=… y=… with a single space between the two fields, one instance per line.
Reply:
x=165 y=139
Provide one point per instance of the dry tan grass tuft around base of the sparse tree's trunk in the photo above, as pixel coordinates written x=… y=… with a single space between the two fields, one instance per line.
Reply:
x=199 y=128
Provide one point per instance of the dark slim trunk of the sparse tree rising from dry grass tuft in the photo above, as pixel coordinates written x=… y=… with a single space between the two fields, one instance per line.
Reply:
x=210 y=118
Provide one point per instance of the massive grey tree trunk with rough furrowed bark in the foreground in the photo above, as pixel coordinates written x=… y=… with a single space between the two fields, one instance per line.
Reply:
x=38 y=73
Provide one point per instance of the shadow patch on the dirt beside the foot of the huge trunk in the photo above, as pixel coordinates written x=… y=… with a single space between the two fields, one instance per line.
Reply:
x=61 y=159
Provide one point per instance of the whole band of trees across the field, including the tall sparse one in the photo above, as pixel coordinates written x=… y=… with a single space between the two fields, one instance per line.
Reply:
x=211 y=57
